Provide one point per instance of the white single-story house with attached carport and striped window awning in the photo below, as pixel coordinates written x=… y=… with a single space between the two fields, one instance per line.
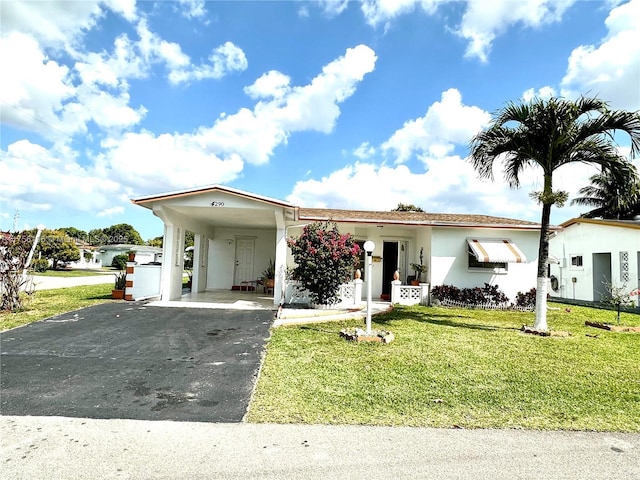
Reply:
x=237 y=233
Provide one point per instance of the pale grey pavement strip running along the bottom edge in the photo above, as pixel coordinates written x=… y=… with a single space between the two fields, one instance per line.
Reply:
x=75 y=448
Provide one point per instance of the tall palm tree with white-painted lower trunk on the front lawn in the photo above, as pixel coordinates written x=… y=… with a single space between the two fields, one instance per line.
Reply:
x=549 y=134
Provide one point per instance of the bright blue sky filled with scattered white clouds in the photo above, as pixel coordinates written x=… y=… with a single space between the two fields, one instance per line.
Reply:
x=357 y=105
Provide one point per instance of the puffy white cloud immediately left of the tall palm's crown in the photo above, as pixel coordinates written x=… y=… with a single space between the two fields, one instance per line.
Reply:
x=446 y=123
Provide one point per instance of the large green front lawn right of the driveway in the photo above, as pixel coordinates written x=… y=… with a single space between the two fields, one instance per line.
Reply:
x=456 y=367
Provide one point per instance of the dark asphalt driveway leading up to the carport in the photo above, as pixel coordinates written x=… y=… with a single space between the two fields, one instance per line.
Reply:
x=127 y=360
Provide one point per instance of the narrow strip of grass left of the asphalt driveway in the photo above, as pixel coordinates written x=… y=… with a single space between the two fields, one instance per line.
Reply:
x=47 y=303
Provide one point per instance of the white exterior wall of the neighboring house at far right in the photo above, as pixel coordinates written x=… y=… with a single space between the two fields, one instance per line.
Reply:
x=586 y=239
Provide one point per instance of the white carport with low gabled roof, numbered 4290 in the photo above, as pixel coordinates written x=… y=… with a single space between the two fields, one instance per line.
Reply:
x=236 y=234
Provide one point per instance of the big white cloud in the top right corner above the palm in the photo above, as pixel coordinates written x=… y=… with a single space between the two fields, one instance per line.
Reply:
x=610 y=70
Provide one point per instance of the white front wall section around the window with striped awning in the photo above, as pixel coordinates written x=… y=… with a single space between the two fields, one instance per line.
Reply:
x=449 y=260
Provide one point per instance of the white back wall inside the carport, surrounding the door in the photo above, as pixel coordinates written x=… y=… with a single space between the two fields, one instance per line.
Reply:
x=222 y=250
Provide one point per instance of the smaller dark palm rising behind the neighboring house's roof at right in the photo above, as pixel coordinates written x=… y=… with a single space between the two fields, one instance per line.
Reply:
x=615 y=194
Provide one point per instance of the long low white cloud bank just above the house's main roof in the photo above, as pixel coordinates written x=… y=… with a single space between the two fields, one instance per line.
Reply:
x=449 y=185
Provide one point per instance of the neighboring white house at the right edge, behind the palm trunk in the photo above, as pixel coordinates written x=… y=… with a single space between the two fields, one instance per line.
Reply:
x=592 y=253
